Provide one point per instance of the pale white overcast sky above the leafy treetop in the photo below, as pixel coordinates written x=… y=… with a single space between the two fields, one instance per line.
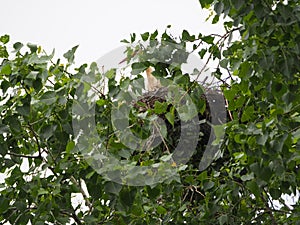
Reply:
x=96 y=26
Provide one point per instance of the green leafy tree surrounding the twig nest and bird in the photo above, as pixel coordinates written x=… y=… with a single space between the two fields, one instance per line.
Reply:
x=254 y=155
